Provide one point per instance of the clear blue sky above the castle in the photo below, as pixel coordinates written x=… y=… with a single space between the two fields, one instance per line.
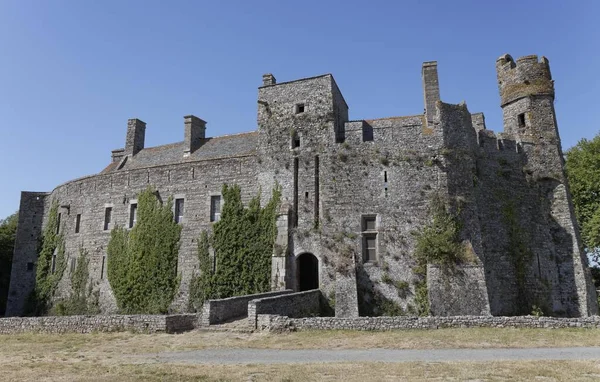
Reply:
x=73 y=72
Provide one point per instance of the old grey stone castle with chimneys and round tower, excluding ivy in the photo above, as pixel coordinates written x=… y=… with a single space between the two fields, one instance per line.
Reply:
x=353 y=195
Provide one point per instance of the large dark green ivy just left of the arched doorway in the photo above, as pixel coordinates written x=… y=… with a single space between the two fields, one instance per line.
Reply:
x=243 y=242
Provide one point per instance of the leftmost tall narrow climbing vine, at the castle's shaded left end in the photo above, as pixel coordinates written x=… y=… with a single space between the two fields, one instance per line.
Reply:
x=51 y=264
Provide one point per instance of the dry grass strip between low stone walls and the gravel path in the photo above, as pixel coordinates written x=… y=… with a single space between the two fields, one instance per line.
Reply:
x=31 y=344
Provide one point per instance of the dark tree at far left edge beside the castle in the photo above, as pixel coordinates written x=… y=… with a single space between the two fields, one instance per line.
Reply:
x=8 y=230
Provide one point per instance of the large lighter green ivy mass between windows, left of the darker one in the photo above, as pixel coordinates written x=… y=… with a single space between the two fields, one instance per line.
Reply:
x=142 y=262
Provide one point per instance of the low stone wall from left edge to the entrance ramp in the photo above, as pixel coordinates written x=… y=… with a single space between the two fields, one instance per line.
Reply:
x=100 y=323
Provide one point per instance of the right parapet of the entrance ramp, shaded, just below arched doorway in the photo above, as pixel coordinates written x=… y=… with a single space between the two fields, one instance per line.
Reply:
x=299 y=304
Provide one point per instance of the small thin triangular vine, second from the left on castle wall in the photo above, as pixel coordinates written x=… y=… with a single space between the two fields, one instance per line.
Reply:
x=83 y=299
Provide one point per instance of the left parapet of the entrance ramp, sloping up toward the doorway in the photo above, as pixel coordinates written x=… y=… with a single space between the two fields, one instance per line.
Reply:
x=218 y=311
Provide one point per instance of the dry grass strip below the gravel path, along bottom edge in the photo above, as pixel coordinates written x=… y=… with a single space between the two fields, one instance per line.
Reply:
x=350 y=372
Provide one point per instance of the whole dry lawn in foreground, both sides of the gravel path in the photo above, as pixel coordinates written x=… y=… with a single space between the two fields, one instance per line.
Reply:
x=115 y=356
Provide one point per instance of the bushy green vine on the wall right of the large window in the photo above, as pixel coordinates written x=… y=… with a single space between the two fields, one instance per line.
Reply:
x=437 y=243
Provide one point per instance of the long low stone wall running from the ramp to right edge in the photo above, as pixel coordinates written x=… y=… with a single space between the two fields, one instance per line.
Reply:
x=275 y=323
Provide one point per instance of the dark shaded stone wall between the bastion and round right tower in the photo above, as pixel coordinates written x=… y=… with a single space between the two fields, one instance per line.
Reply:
x=527 y=254
